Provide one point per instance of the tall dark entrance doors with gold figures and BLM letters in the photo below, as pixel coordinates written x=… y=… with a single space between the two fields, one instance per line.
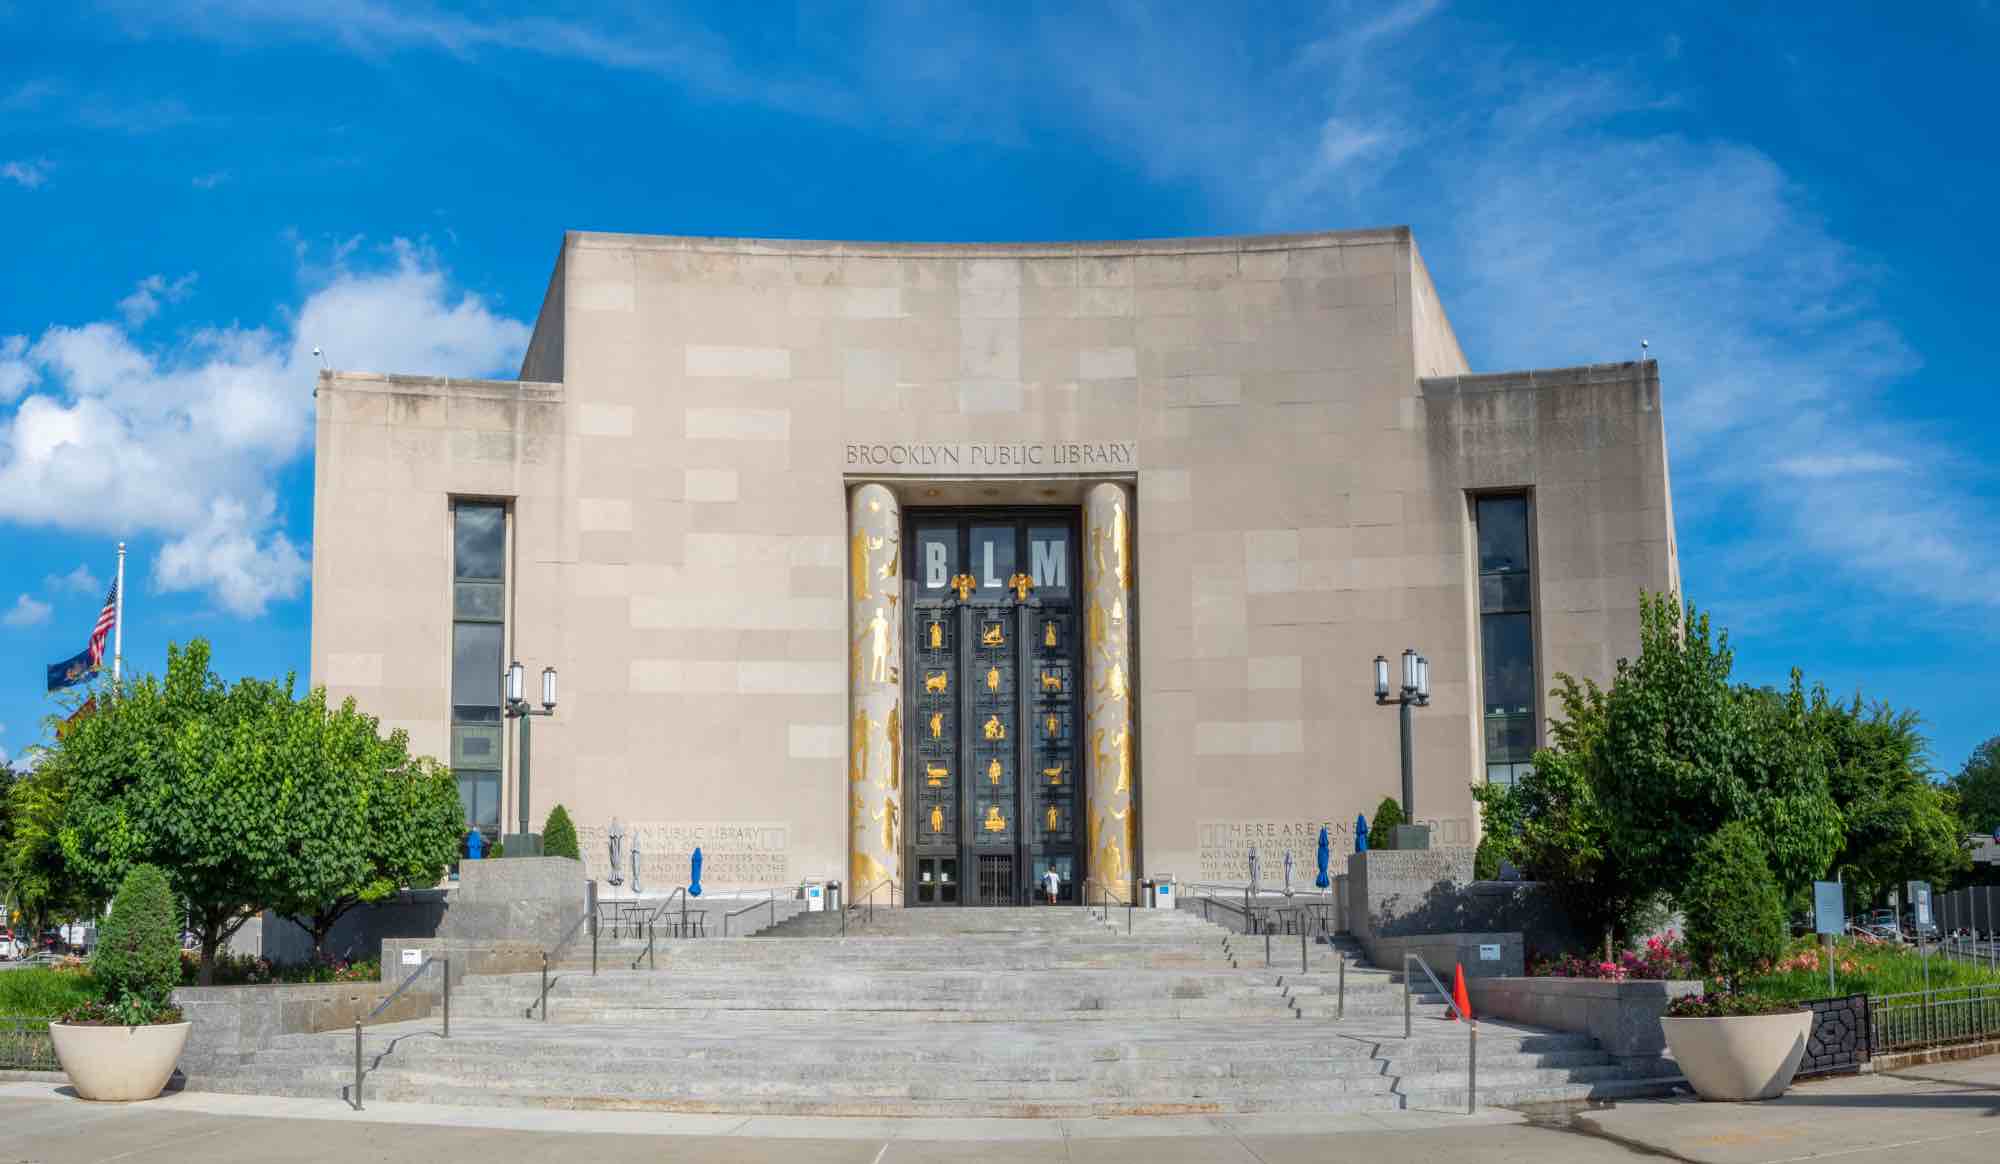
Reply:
x=993 y=737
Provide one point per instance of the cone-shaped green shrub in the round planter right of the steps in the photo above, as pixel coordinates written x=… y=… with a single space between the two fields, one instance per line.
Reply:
x=1733 y=905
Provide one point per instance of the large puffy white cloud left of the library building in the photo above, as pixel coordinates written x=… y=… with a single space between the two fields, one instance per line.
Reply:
x=189 y=439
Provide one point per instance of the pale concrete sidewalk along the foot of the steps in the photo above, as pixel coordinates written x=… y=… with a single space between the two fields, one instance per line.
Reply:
x=1941 y=1115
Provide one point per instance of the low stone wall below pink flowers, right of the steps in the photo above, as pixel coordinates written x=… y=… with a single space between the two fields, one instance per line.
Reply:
x=1623 y=1017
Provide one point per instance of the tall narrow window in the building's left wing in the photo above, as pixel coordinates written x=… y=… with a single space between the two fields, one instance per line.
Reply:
x=479 y=645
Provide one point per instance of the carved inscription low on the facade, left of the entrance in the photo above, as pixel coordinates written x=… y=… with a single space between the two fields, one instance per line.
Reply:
x=735 y=853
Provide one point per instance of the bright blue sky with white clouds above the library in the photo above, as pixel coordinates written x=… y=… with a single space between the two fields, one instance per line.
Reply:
x=1795 y=211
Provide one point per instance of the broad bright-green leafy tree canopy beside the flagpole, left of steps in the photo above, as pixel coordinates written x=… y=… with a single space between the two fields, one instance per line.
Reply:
x=249 y=799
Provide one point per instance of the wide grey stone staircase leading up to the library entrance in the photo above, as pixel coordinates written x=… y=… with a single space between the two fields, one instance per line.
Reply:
x=953 y=1013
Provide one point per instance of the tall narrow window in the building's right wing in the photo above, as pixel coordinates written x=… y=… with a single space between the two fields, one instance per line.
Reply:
x=1507 y=637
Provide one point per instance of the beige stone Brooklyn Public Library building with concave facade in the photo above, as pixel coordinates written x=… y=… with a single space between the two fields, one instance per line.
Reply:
x=953 y=565
